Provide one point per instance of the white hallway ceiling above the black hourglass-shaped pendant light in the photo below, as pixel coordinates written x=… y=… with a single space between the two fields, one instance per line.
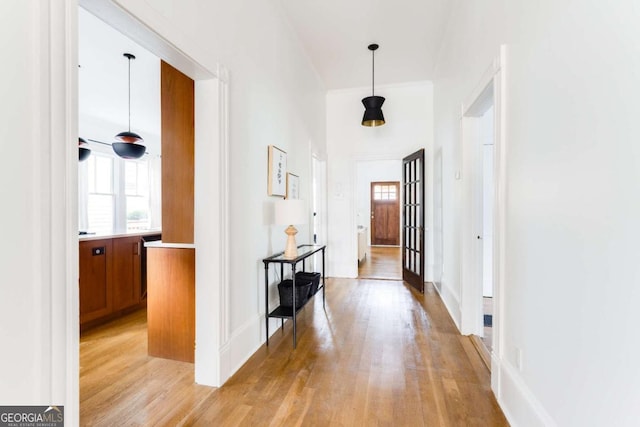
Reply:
x=336 y=33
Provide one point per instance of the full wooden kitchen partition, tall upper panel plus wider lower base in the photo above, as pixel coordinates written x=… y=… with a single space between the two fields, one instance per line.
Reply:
x=171 y=263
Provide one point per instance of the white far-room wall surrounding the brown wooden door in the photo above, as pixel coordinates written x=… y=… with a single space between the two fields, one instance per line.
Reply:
x=368 y=171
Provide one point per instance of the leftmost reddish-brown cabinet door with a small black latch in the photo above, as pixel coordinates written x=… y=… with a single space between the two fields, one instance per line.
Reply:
x=95 y=279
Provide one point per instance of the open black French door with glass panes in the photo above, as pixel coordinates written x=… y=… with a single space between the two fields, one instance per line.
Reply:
x=413 y=220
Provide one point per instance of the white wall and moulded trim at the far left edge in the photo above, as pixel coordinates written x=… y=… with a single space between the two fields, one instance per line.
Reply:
x=38 y=222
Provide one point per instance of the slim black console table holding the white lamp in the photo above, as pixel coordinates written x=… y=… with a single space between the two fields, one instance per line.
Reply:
x=304 y=252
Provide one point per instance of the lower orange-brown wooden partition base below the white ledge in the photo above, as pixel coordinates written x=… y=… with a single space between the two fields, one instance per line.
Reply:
x=171 y=299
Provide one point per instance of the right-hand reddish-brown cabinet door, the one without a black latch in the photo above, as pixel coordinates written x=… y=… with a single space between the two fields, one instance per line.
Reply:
x=126 y=272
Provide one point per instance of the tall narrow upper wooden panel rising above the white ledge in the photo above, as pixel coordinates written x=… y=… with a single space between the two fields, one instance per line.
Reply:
x=178 y=138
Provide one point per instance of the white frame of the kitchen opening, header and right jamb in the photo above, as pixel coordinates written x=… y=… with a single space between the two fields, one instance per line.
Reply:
x=211 y=216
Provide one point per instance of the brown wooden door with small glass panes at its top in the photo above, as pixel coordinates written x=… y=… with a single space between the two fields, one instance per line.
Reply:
x=385 y=213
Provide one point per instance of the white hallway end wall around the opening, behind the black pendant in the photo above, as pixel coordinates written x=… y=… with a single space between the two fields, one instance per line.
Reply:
x=408 y=113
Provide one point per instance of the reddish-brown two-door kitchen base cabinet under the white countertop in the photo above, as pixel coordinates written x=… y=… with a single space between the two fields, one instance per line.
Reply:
x=110 y=278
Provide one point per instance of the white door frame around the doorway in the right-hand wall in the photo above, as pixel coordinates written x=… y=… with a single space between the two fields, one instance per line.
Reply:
x=490 y=89
